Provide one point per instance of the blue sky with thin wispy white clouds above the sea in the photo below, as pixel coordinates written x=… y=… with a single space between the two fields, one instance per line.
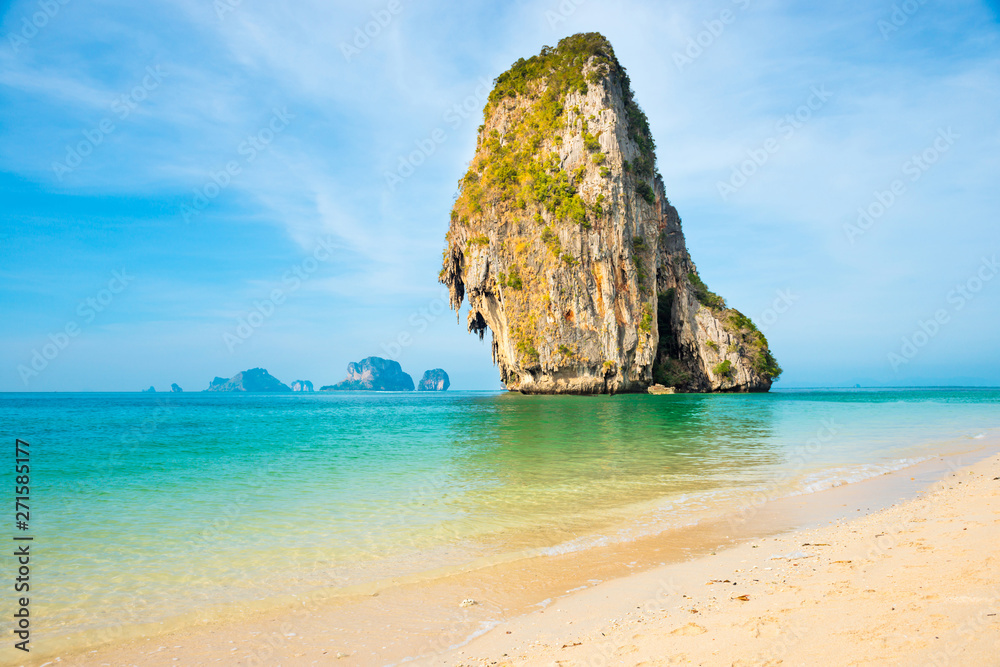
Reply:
x=223 y=154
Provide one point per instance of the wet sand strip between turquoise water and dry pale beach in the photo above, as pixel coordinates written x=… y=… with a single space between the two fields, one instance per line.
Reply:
x=426 y=621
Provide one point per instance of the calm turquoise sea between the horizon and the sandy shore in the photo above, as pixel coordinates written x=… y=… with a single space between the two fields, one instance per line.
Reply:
x=152 y=507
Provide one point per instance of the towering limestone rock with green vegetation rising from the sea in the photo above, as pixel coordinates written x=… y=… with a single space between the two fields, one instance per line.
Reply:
x=564 y=242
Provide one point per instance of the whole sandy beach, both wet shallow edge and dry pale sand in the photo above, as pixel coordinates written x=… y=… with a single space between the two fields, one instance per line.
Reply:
x=868 y=581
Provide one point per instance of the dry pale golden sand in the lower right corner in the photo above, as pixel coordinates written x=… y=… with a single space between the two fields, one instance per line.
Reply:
x=914 y=584
